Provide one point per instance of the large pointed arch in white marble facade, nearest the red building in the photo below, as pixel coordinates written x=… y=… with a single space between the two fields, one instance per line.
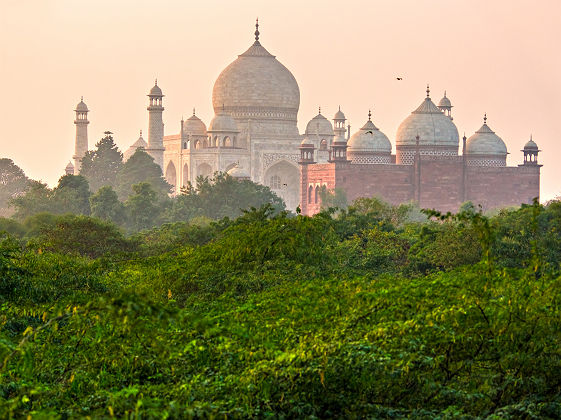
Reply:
x=284 y=180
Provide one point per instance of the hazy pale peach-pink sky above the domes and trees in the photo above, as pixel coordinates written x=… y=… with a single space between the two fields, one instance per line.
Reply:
x=499 y=57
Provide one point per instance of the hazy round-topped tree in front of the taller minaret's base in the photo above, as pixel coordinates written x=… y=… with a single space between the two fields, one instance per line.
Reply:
x=140 y=167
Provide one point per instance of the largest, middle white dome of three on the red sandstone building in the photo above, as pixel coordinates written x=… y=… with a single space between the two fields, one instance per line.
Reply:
x=431 y=124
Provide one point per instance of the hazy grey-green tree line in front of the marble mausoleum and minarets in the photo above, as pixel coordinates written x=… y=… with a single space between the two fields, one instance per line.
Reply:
x=131 y=194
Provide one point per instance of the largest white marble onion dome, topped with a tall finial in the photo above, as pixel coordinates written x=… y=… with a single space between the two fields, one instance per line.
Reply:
x=257 y=86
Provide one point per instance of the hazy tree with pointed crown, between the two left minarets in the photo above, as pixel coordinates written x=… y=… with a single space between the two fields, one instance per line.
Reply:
x=102 y=165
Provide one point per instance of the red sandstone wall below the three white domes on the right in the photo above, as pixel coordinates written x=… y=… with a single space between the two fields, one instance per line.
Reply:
x=440 y=187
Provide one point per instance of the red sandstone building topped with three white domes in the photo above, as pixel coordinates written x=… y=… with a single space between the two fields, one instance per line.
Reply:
x=426 y=168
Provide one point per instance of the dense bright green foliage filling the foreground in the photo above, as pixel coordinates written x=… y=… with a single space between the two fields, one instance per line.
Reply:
x=367 y=312
